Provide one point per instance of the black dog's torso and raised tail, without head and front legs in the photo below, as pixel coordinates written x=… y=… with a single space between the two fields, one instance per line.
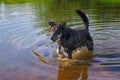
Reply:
x=78 y=38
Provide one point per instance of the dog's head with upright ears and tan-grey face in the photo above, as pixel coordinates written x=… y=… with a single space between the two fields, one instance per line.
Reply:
x=56 y=30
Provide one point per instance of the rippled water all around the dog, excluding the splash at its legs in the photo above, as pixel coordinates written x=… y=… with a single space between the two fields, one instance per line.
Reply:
x=24 y=27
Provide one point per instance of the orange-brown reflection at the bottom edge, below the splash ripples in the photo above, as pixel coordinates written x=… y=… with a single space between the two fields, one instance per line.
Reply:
x=73 y=72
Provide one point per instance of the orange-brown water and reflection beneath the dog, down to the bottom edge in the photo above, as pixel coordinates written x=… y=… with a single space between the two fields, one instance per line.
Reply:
x=76 y=69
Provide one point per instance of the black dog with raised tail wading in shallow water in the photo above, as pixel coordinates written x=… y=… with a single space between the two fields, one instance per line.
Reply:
x=70 y=39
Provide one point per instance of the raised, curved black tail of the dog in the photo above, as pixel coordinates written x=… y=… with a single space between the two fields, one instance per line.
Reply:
x=84 y=18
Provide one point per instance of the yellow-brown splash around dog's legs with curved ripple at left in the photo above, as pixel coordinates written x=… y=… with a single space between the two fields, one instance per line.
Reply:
x=79 y=58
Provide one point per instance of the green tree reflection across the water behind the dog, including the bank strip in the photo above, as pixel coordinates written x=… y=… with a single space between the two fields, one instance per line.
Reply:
x=64 y=10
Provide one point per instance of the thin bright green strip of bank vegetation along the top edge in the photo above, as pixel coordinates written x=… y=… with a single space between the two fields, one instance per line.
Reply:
x=24 y=1
